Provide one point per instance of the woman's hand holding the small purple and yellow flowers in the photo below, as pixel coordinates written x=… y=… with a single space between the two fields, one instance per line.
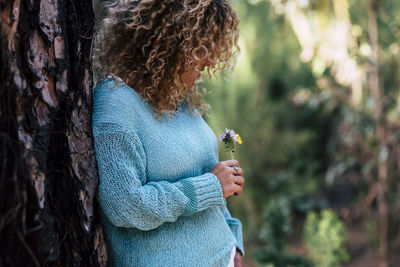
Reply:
x=231 y=180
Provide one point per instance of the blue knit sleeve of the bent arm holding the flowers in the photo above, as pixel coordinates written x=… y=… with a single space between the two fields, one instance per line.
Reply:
x=125 y=196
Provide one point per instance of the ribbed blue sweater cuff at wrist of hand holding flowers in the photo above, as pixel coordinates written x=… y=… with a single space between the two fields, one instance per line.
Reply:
x=203 y=191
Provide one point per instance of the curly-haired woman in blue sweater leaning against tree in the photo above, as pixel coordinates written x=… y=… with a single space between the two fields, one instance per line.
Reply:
x=162 y=190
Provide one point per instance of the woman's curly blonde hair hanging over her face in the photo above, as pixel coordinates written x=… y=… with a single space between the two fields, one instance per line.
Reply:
x=149 y=44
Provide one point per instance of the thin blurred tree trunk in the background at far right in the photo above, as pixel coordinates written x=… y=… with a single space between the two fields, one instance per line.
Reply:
x=380 y=121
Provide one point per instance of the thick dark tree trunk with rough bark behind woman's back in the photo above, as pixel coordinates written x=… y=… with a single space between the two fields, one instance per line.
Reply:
x=48 y=173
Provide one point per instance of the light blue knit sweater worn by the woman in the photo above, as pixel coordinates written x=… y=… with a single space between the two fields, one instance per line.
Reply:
x=159 y=203
